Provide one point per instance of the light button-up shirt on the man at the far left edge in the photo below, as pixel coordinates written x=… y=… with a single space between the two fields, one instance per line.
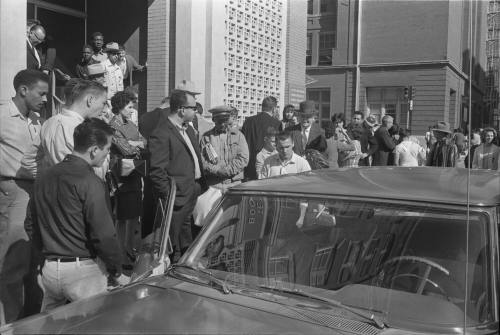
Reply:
x=19 y=142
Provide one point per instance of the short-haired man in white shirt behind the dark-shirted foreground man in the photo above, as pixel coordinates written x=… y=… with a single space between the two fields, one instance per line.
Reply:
x=84 y=99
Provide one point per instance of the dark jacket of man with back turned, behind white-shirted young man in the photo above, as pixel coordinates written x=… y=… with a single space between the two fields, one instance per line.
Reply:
x=255 y=128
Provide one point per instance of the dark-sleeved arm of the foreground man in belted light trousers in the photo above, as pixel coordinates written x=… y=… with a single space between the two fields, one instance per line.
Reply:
x=102 y=232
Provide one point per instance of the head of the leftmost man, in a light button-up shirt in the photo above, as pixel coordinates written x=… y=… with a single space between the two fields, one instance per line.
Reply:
x=31 y=87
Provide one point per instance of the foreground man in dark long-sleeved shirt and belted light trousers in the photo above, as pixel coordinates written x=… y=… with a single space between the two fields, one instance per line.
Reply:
x=74 y=222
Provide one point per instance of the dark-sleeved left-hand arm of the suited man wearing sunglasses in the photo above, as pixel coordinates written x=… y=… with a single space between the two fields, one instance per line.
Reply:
x=159 y=150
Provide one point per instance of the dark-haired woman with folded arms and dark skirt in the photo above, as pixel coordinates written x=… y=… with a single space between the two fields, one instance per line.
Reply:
x=126 y=152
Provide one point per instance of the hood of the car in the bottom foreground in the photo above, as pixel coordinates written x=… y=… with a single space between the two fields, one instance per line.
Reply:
x=167 y=305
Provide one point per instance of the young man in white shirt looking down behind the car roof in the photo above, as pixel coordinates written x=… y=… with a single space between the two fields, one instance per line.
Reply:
x=285 y=161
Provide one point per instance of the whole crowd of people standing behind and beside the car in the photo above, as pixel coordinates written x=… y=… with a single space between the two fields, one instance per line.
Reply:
x=79 y=190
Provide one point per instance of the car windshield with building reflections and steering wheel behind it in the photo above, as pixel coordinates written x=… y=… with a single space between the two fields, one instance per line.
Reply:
x=394 y=260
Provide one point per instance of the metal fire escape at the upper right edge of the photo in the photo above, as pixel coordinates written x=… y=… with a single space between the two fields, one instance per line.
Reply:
x=493 y=61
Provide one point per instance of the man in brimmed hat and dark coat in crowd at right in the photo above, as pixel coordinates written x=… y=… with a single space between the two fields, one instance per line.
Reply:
x=443 y=153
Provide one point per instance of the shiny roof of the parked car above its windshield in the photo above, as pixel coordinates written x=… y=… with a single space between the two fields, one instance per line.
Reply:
x=423 y=184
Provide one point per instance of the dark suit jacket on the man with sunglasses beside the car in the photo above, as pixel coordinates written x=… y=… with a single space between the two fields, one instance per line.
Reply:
x=170 y=156
